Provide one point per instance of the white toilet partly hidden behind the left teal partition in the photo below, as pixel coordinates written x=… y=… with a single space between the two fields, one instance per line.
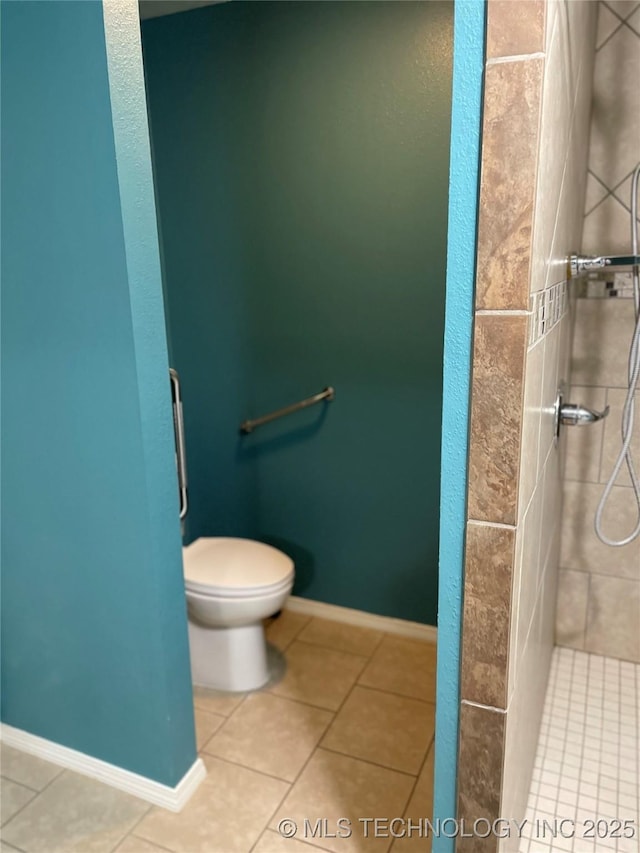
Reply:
x=231 y=586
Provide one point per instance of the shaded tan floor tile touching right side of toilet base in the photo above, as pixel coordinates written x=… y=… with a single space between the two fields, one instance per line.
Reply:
x=319 y=676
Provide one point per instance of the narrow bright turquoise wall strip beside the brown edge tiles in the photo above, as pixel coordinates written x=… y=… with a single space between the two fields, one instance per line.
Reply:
x=461 y=253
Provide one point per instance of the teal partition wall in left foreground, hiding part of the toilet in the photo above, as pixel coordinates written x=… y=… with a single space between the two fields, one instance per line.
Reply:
x=94 y=640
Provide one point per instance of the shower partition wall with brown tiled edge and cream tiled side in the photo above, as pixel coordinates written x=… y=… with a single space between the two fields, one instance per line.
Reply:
x=537 y=104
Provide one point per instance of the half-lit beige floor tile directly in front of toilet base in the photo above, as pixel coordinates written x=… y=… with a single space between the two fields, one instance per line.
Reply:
x=271 y=734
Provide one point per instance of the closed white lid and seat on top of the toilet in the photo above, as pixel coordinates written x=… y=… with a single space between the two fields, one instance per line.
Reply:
x=239 y=563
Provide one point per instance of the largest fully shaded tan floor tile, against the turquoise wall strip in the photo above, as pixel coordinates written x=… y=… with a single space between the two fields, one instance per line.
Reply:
x=391 y=730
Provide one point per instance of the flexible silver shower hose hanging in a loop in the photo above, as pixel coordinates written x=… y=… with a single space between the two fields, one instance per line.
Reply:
x=633 y=376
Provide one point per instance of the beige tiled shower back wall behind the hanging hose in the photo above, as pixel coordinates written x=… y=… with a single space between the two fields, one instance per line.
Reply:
x=599 y=586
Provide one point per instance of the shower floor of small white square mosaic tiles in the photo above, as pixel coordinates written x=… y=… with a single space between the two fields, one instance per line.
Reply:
x=587 y=767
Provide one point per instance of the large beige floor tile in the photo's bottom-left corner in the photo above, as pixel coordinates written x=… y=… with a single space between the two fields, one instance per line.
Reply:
x=74 y=815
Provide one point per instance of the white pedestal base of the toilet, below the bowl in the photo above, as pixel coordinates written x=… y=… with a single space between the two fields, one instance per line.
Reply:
x=232 y=659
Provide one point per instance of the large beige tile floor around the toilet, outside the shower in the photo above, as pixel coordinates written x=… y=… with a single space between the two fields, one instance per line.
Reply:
x=347 y=733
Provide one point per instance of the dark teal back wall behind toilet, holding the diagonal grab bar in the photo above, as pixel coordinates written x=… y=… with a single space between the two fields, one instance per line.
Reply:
x=301 y=159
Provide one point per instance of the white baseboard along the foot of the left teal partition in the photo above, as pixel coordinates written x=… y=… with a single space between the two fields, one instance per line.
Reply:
x=173 y=799
